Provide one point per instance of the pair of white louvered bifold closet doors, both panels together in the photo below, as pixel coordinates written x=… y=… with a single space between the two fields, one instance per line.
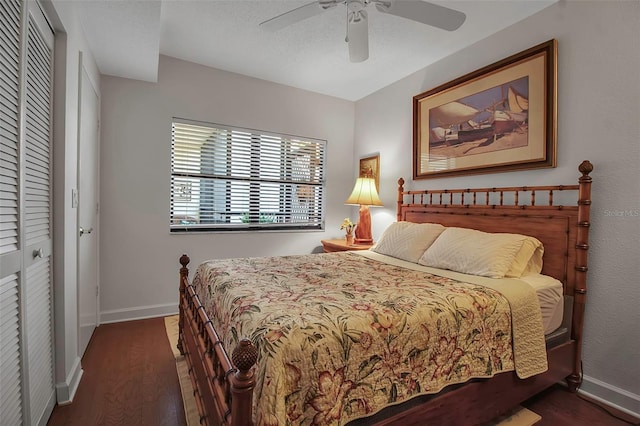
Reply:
x=27 y=392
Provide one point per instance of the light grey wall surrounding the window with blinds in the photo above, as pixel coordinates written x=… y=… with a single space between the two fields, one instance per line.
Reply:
x=139 y=258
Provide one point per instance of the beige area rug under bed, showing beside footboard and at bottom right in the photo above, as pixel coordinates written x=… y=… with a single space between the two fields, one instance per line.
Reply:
x=519 y=416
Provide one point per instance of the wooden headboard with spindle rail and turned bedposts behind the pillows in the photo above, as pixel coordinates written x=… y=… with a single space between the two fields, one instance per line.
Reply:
x=528 y=210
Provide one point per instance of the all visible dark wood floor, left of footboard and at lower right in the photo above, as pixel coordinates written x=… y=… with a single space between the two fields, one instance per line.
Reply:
x=130 y=379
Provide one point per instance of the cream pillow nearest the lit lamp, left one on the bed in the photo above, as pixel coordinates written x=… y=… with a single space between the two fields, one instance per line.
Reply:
x=407 y=240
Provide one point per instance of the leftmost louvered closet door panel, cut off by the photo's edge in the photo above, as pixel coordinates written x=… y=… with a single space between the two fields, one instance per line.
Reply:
x=10 y=255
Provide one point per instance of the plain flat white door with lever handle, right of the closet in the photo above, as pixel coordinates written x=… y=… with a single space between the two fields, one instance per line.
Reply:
x=88 y=289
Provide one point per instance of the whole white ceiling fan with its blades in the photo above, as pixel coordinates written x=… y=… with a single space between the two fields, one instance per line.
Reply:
x=357 y=23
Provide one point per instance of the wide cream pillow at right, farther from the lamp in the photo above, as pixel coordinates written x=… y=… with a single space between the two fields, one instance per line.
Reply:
x=474 y=252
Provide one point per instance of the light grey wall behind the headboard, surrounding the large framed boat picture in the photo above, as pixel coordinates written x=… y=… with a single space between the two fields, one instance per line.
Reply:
x=598 y=120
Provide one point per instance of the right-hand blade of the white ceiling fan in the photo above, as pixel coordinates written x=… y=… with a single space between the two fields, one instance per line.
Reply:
x=424 y=12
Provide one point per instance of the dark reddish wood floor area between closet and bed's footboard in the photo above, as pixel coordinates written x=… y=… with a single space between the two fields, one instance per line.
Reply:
x=129 y=378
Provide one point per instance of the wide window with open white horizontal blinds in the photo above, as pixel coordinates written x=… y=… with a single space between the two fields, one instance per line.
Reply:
x=228 y=179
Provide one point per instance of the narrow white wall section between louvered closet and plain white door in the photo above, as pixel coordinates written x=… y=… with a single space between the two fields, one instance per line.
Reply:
x=70 y=43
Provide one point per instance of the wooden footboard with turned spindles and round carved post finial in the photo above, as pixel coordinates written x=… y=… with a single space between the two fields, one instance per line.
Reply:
x=223 y=393
